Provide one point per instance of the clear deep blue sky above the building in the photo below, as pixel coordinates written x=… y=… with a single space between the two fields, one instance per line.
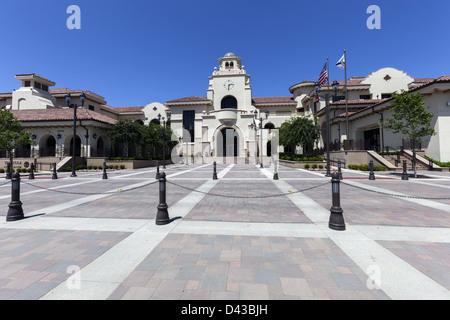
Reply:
x=136 y=52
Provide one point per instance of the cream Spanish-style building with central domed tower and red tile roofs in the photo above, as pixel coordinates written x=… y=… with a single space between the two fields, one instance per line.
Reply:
x=229 y=123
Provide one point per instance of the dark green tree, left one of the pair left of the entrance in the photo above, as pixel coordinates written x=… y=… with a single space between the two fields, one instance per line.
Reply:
x=126 y=132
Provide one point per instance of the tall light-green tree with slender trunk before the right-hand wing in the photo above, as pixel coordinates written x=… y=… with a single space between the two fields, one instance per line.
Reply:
x=411 y=119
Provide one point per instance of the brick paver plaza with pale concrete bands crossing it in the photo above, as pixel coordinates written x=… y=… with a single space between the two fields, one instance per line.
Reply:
x=107 y=246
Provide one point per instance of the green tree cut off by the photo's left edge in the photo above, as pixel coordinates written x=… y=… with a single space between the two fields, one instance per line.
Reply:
x=12 y=134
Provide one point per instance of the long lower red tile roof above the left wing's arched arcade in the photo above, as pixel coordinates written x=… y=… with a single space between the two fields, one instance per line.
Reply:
x=57 y=114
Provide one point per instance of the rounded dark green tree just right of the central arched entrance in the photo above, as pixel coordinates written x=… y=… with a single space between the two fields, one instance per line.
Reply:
x=299 y=131
